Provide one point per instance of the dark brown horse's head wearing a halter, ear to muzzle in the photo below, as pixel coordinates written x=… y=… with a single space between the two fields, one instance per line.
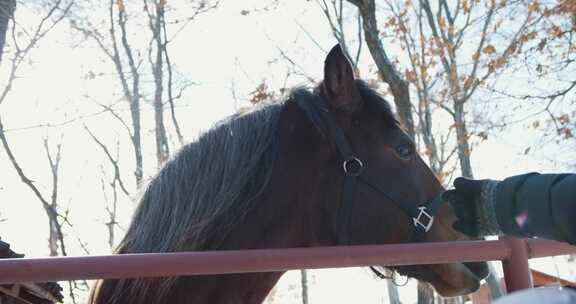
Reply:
x=372 y=187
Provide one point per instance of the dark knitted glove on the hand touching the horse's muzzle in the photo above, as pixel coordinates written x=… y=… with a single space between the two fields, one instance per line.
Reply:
x=473 y=203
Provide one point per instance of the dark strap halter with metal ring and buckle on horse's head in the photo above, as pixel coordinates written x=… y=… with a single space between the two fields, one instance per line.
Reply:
x=422 y=216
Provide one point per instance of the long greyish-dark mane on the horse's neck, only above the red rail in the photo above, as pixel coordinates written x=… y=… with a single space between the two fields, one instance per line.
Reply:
x=217 y=175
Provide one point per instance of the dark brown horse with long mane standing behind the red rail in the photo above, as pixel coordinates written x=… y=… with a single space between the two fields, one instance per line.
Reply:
x=325 y=166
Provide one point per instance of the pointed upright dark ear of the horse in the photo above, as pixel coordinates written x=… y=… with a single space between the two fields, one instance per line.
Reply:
x=339 y=84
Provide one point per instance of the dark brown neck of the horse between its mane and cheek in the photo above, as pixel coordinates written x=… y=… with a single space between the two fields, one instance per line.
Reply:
x=291 y=212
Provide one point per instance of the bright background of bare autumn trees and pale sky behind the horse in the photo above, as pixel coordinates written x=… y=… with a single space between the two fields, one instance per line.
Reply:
x=96 y=96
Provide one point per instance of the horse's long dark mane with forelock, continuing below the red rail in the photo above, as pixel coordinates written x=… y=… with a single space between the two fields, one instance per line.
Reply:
x=206 y=189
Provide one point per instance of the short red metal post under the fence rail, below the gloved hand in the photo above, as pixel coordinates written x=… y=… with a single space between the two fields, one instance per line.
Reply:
x=516 y=268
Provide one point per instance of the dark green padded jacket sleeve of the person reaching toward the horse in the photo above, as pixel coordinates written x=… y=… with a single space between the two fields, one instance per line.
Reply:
x=538 y=205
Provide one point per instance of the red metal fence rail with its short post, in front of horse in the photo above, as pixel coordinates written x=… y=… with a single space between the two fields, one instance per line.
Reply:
x=514 y=253
